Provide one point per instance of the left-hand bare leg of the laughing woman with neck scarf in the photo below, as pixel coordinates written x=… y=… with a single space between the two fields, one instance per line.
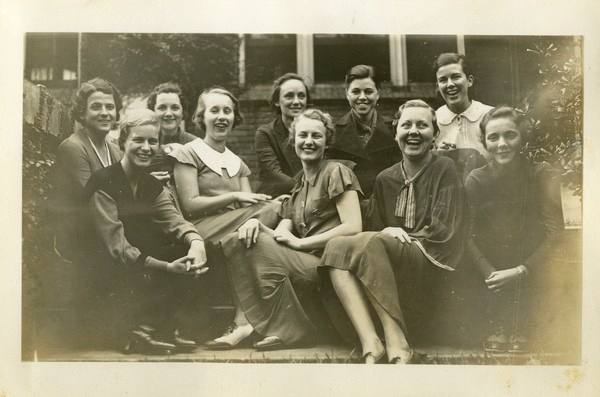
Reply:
x=352 y=297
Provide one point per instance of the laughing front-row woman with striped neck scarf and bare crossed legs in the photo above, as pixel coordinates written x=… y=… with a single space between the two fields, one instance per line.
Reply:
x=416 y=214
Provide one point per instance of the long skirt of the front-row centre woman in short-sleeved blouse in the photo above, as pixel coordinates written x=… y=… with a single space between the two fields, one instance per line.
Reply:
x=270 y=281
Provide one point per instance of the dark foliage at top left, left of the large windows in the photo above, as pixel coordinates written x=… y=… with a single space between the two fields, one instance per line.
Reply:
x=136 y=63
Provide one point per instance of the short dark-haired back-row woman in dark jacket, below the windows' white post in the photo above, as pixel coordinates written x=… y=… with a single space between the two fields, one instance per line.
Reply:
x=362 y=135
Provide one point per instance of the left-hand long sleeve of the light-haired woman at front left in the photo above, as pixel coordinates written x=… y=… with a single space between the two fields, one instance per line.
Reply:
x=110 y=230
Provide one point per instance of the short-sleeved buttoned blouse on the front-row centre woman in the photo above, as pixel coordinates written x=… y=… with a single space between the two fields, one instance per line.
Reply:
x=312 y=207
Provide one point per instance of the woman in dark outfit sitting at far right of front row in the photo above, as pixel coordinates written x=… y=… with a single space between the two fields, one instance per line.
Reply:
x=516 y=216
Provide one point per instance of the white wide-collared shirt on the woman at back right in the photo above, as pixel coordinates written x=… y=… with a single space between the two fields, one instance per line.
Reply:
x=462 y=129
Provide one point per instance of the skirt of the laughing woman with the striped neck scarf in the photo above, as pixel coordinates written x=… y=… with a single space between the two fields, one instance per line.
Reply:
x=395 y=274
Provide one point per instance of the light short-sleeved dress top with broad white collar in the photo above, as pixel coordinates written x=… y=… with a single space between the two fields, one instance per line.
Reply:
x=210 y=183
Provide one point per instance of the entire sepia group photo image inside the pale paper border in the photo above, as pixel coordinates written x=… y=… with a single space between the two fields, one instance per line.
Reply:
x=302 y=198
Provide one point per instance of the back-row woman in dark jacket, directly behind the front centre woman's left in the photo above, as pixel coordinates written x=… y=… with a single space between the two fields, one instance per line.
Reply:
x=277 y=160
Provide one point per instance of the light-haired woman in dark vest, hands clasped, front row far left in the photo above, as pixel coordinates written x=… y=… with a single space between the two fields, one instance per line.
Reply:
x=135 y=221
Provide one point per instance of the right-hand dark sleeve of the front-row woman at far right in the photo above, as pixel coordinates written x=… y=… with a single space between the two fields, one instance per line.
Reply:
x=552 y=221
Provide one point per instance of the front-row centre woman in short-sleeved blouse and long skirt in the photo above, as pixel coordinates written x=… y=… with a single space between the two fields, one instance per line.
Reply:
x=265 y=267
